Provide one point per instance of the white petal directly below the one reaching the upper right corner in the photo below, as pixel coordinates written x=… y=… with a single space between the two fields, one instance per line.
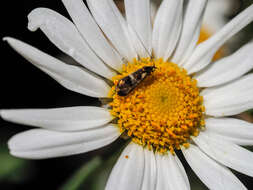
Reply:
x=227 y=69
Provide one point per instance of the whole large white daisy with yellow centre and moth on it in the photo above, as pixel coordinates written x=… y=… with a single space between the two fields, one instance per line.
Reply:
x=182 y=104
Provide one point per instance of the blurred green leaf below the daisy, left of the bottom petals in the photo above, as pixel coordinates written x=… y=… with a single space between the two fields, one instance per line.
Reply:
x=82 y=174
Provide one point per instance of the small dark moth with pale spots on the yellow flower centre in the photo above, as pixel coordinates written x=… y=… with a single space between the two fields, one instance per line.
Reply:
x=128 y=83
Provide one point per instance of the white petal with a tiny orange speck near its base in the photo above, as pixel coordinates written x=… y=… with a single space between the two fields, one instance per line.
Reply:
x=128 y=171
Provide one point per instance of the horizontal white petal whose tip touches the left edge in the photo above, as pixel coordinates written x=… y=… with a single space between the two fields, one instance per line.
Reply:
x=60 y=119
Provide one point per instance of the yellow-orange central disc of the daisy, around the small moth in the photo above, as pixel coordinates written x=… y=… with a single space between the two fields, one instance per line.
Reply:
x=163 y=111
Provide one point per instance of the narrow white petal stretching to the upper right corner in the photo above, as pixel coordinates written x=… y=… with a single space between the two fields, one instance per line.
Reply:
x=205 y=51
